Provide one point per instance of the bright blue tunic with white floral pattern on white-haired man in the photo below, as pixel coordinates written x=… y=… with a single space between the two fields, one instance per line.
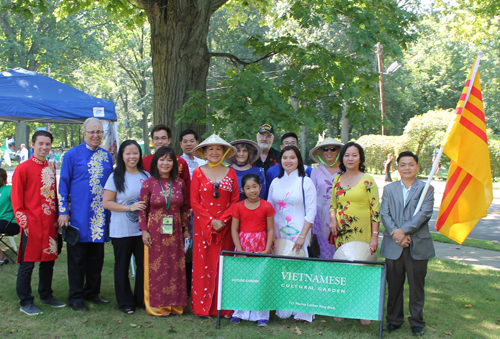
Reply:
x=84 y=173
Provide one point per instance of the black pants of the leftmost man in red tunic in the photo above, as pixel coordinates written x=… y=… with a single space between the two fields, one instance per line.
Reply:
x=23 y=285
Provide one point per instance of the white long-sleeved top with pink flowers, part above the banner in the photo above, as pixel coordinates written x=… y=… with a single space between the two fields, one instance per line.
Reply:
x=285 y=194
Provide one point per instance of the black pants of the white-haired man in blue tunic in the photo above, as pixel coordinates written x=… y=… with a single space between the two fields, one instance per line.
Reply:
x=85 y=261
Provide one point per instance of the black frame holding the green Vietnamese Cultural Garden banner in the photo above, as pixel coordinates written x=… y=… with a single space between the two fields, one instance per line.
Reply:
x=230 y=254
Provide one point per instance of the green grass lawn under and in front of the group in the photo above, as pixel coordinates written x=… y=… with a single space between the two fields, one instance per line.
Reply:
x=462 y=302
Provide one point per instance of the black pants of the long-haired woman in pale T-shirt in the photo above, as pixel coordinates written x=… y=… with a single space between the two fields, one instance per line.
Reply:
x=123 y=249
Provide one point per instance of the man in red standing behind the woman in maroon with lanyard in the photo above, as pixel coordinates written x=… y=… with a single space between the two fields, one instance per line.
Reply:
x=161 y=136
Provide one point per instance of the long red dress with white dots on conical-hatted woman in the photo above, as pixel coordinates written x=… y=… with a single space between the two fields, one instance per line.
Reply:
x=208 y=243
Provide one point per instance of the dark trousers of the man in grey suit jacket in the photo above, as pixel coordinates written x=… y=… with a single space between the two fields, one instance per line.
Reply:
x=397 y=270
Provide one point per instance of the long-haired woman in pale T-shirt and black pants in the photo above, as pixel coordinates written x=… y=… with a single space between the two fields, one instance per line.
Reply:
x=121 y=197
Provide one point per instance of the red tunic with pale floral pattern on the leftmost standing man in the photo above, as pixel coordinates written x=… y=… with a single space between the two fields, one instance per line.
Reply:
x=34 y=200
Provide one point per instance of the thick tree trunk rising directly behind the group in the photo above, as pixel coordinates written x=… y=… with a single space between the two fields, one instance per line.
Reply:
x=180 y=56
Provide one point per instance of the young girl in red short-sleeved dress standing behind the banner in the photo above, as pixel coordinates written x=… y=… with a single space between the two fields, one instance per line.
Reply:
x=252 y=230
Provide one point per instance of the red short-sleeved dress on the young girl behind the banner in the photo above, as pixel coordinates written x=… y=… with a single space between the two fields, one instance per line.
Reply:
x=253 y=225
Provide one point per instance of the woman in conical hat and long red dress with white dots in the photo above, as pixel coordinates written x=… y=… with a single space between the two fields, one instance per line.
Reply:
x=214 y=190
